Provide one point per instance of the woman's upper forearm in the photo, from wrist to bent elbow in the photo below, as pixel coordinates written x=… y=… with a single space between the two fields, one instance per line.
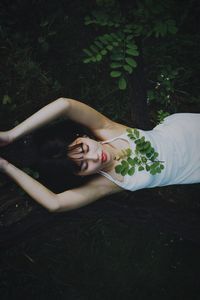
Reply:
x=48 y=113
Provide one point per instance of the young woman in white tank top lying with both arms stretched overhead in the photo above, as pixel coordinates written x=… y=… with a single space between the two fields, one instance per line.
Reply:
x=176 y=141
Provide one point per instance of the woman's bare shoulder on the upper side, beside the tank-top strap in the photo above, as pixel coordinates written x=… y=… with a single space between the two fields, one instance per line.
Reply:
x=110 y=130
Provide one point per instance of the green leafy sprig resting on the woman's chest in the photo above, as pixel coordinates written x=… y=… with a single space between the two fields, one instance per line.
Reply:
x=145 y=157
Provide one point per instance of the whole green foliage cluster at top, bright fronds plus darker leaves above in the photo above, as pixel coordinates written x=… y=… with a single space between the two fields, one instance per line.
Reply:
x=119 y=42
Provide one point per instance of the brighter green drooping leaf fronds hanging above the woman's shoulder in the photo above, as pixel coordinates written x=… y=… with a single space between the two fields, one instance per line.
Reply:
x=122 y=49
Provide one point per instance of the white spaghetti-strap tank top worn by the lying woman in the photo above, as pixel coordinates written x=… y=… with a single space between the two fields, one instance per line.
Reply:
x=177 y=141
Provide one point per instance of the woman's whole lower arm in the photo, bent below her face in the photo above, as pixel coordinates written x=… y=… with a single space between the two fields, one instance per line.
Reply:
x=71 y=199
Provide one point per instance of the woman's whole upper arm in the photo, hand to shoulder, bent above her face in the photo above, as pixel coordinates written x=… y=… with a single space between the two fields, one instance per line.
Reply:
x=62 y=107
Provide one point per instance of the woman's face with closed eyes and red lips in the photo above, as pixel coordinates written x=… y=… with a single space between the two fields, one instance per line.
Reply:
x=91 y=157
